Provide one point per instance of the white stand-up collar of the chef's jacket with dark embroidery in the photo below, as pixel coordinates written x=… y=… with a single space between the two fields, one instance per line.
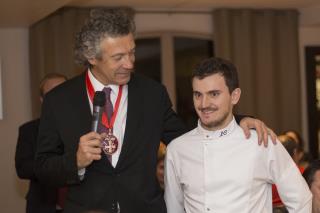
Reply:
x=209 y=134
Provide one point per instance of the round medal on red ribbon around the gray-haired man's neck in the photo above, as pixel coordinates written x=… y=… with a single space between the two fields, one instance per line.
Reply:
x=109 y=144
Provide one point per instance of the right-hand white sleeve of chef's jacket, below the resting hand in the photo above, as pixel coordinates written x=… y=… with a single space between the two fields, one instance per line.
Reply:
x=293 y=190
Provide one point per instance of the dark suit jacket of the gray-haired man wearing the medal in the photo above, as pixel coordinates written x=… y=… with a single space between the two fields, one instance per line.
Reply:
x=132 y=183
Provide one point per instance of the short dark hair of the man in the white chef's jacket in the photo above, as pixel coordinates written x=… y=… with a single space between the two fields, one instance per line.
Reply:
x=221 y=66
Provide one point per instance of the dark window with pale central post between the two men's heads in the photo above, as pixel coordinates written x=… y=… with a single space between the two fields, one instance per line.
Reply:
x=169 y=58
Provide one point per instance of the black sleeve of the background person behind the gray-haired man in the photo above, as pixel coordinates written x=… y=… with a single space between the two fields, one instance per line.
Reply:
x=24 y=157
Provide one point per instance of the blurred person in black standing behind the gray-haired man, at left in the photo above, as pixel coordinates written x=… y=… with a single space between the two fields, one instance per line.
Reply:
x=39 y=198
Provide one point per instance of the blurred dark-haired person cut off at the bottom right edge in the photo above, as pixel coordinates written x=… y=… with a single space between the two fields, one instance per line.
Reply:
x=312 y=176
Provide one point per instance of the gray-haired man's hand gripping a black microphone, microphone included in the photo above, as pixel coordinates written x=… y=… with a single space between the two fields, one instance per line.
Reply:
x=89 y=148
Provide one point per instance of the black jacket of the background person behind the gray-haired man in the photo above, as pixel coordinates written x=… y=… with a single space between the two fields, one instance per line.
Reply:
x=40 y=198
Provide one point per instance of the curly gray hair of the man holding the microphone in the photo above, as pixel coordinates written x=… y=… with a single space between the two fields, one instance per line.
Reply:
x=102 y=23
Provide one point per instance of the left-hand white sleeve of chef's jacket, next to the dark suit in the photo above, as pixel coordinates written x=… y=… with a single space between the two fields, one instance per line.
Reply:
x=173 y=193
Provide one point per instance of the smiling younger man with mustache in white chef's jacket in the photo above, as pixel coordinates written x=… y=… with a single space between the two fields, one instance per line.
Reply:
x=213 y=168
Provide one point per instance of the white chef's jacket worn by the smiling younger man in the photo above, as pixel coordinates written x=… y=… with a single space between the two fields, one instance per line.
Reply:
x=222 y=172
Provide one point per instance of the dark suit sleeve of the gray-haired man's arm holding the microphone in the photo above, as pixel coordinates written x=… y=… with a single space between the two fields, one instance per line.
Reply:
x=53 y=165
